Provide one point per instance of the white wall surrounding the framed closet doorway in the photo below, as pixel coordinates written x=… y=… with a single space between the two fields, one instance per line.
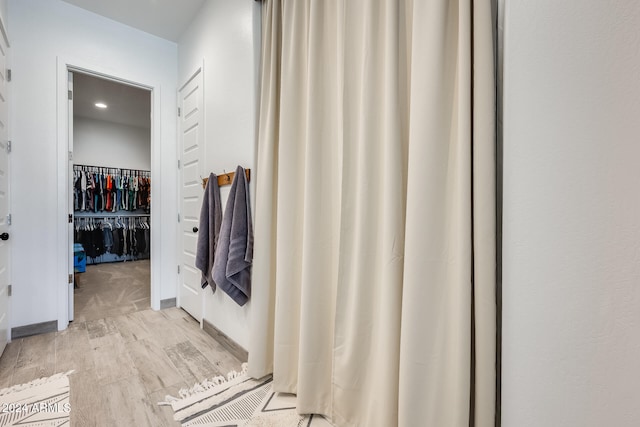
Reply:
x=42 y=31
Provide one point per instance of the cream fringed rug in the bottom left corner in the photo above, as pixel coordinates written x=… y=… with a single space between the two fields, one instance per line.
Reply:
x=40 y=403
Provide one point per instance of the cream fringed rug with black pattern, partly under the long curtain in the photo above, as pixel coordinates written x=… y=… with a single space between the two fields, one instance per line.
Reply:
x=239 y=401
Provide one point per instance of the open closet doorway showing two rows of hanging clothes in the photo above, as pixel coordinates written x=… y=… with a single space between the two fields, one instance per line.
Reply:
x=110 y=195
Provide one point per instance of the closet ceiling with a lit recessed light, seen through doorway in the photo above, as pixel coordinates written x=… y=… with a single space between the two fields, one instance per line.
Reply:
x=126 y=105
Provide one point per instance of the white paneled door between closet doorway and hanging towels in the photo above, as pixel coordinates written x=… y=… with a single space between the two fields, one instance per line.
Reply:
x=191 y=139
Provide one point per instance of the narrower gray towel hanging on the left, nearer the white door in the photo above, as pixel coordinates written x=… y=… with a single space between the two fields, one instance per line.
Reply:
x=210 y=220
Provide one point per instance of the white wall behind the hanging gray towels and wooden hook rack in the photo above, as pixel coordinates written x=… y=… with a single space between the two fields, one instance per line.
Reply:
x=226 y=36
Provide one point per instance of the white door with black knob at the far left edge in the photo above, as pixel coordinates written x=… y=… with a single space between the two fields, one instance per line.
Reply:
x=4 y=196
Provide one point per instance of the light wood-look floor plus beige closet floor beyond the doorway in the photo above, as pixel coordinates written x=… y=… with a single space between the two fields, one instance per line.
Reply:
x=126 y=357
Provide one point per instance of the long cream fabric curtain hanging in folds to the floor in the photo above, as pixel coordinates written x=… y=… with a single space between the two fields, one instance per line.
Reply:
x=373 y=292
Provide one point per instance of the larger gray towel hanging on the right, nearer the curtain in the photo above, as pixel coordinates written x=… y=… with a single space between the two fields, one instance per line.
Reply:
x=234 y=254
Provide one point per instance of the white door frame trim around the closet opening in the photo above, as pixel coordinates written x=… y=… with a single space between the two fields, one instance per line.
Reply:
x=63 y=66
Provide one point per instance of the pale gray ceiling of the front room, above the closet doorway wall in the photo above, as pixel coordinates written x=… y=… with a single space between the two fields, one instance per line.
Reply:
x=163 y=18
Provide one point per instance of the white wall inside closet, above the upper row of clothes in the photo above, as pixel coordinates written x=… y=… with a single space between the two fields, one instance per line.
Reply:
x=101 y=143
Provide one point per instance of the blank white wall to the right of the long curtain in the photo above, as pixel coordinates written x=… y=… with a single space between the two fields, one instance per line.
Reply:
x=571 y=263
